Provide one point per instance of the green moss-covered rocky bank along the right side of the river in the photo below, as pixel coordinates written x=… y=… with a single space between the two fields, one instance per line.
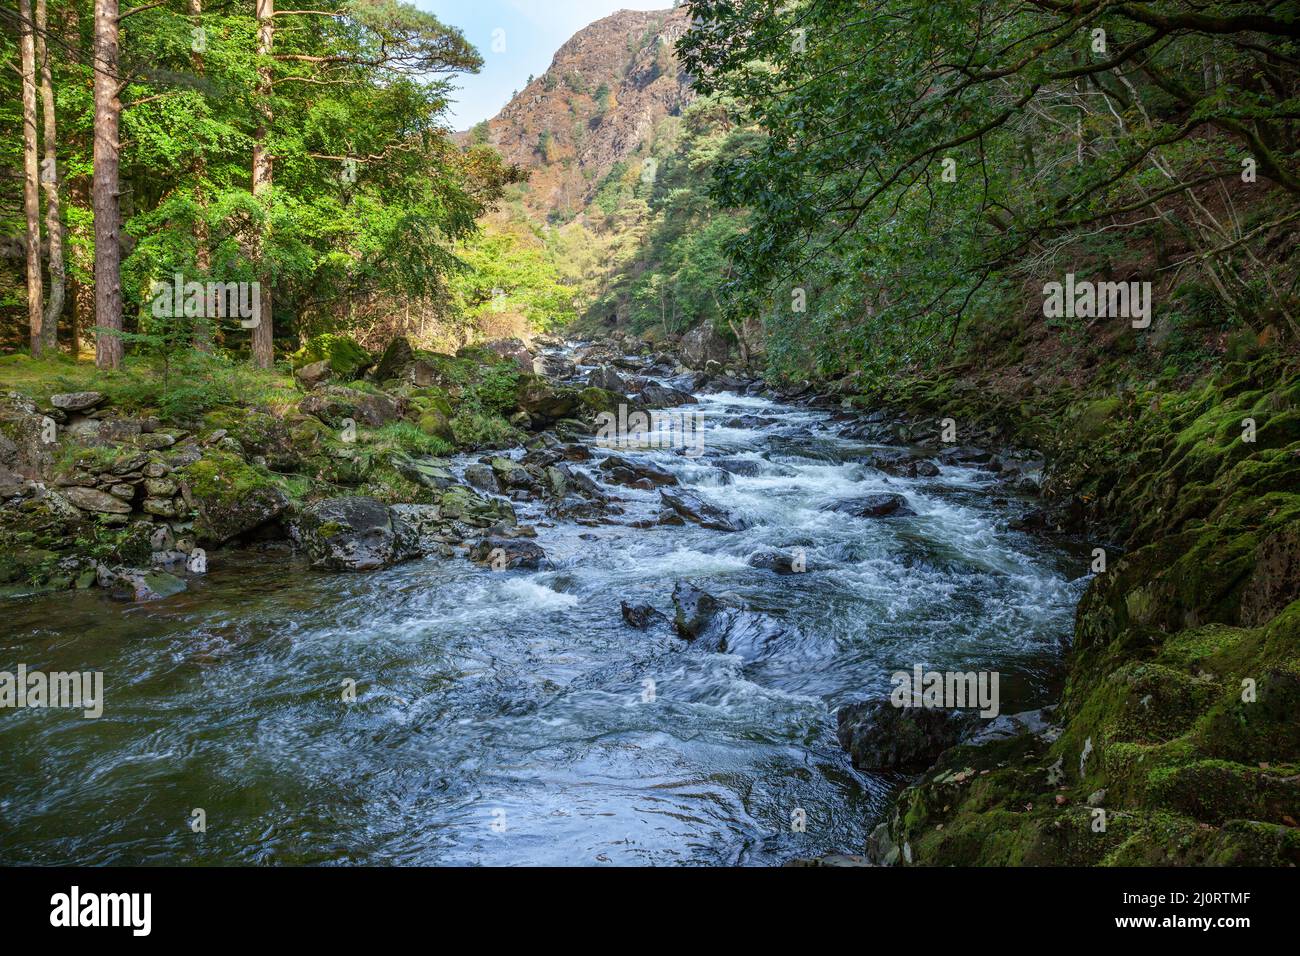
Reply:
x=1176 y=741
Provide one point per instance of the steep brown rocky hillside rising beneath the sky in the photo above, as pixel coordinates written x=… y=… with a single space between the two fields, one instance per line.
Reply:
x=596 y=106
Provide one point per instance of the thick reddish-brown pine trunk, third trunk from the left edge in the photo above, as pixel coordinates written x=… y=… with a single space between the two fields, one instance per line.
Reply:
x=106 y=197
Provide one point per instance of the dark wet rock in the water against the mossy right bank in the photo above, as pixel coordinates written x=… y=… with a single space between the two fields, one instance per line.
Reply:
x=882 y=737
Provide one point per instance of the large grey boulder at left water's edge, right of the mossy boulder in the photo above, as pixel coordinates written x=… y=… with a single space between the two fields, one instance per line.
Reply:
x=354 y=535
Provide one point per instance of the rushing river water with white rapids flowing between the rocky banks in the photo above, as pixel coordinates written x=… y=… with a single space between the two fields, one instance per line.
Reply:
x=501 y=716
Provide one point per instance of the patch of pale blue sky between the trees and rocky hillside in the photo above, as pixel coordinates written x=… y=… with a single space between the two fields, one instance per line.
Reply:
x=532 y=32
